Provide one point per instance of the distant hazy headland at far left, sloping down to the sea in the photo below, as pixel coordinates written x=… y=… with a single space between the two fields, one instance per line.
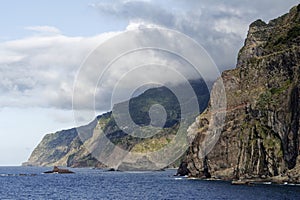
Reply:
x=63 y=148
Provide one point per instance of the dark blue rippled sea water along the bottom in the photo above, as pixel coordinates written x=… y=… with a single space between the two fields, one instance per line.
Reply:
x=99 y=184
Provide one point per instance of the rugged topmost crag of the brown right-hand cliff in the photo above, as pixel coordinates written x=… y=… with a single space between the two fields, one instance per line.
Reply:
x=264 y=39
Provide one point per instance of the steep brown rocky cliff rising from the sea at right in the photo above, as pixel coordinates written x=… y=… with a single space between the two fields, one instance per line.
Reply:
x=260 y=137
